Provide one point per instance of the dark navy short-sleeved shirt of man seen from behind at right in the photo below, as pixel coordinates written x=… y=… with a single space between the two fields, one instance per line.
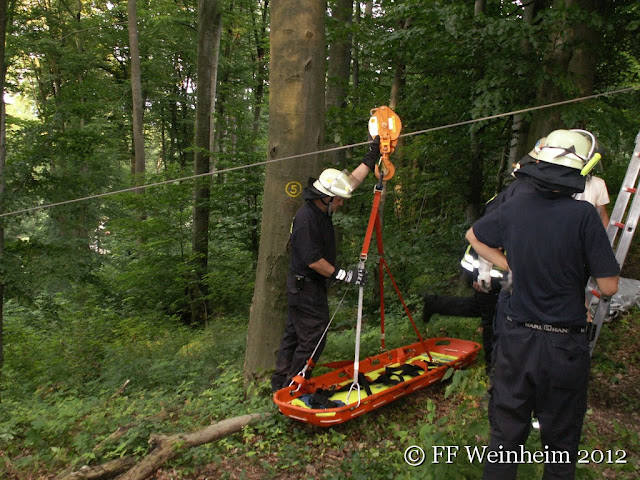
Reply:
x=549 y=239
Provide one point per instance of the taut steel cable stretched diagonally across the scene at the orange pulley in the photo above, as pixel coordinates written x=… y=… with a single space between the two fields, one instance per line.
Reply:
x=291 y=157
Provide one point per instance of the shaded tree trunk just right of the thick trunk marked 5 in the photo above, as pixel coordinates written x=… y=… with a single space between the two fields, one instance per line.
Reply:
x=338 y=78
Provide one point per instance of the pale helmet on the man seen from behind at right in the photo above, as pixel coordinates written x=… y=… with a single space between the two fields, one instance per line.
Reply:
x=568 y=148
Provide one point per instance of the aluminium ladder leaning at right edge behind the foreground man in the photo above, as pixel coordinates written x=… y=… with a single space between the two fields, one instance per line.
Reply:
x=622 y=225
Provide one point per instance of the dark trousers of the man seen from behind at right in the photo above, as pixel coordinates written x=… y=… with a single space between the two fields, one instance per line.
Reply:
x=542 y=372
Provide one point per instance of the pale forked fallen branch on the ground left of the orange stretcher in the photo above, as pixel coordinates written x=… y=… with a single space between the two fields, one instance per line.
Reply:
x=169 y=447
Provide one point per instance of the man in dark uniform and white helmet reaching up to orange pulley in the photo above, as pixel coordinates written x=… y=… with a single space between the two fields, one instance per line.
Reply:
x=313 y=262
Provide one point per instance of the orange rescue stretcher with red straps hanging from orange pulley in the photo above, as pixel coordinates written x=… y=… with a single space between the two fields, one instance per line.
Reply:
x=360 y=386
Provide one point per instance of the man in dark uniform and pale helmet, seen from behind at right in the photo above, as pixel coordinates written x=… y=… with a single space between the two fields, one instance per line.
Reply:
x=542 y=352
